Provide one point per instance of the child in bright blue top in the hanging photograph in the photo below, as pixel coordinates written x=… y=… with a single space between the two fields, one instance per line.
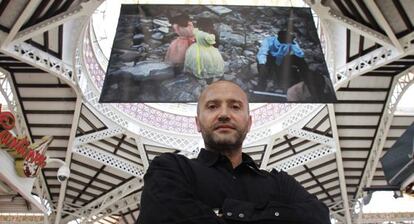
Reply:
x=277 y=57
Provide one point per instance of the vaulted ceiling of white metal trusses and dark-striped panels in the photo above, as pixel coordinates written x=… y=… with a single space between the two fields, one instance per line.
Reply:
x=49 y=64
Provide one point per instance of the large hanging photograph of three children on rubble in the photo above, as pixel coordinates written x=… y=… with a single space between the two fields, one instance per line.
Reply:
x=169 y=53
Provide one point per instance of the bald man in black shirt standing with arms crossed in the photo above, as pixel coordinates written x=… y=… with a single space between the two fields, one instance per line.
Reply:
x=223 y=185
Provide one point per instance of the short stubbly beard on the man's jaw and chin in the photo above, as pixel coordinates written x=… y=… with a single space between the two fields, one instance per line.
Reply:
x=224 y=144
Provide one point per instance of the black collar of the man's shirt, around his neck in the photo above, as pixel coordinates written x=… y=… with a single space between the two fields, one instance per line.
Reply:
x=210 y=158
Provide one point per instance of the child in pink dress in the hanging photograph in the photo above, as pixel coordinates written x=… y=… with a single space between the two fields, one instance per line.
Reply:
x=184 y=28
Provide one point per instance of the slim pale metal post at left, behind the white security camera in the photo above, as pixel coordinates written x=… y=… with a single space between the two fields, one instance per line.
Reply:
x=68 y=156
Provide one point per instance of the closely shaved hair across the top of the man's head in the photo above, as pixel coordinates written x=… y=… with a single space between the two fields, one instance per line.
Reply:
x=224 y=85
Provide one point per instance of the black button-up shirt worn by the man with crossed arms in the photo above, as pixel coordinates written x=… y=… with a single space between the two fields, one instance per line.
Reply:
x=178 y=190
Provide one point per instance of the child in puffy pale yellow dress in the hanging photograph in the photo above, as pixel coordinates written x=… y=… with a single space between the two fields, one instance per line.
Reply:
x=202 y=59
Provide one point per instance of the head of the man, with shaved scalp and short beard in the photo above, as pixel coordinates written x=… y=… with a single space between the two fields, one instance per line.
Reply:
x=223 y=117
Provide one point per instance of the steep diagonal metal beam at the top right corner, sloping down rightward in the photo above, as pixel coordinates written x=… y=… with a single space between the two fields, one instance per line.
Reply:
x=376 y=12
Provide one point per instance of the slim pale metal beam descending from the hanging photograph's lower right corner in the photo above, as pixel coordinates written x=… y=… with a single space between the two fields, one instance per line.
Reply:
x=340 y=167
